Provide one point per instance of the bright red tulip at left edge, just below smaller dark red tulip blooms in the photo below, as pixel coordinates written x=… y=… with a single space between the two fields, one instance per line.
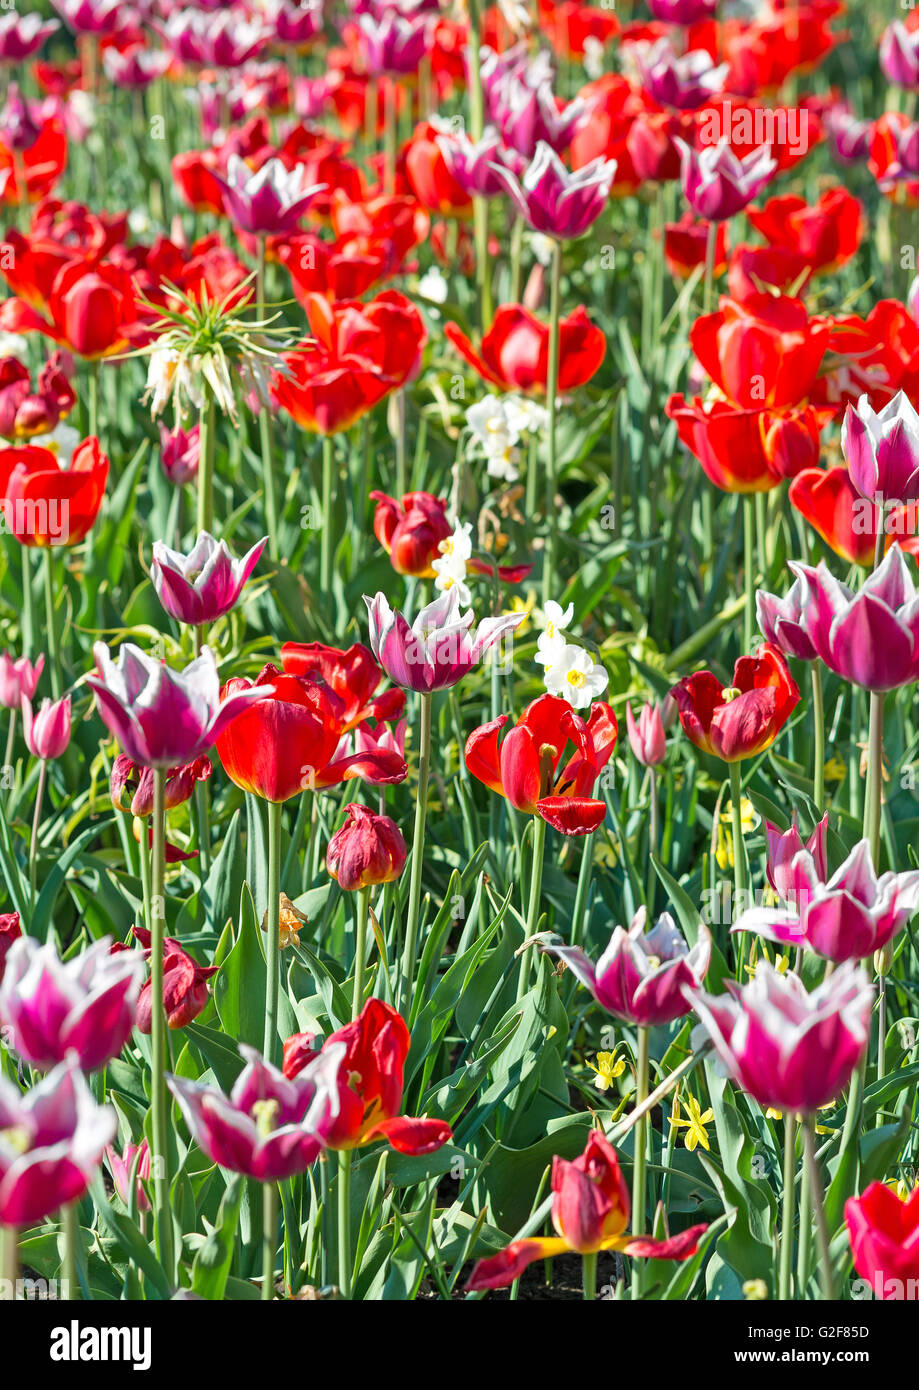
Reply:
x=45 y=504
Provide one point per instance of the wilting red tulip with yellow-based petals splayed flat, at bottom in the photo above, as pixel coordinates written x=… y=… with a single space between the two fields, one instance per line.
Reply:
x=590 y=1213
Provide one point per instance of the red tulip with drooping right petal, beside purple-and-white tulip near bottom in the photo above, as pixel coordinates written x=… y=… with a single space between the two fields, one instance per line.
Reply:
x=376 y=1047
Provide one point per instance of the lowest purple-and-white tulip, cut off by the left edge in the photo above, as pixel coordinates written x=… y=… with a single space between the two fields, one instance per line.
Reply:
x=59 y=1138
